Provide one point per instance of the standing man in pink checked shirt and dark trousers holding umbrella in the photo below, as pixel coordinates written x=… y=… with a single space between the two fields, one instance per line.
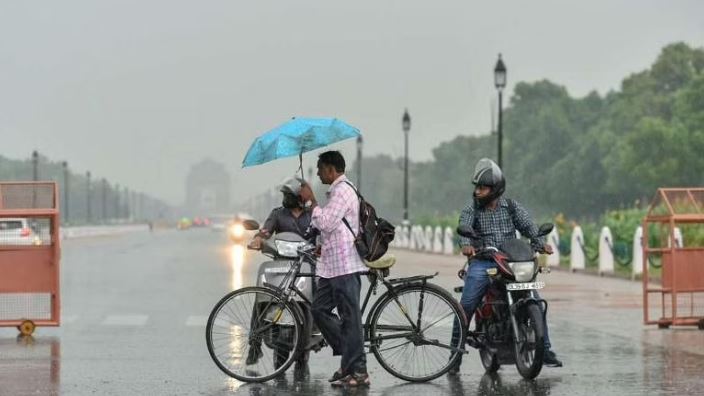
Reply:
x=339 y=268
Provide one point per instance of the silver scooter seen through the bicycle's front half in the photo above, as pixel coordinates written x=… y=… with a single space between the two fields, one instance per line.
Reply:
x=283 y=249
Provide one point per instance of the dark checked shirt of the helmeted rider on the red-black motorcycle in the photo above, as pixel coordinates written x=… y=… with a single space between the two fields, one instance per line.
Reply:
x=497 y=225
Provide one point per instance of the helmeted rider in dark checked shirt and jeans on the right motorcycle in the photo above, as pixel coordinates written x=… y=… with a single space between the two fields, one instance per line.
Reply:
x=495 y=219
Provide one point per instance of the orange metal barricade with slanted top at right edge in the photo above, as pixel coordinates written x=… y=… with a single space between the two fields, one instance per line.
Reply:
x=679 y=298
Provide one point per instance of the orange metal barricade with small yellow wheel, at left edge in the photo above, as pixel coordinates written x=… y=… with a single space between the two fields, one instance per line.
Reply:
x=29 y=255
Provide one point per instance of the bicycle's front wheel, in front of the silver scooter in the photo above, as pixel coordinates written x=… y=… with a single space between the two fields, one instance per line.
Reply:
x=249 y=330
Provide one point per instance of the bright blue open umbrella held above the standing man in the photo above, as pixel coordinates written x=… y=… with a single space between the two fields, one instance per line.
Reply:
x=296 y=137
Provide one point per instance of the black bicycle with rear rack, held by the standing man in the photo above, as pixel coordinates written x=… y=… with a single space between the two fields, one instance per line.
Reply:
x=413 y=319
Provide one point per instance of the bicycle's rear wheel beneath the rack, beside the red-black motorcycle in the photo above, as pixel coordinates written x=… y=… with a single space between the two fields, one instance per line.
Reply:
x=411 y=332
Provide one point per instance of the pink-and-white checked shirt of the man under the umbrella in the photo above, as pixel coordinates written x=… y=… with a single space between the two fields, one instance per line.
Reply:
x=338 y=255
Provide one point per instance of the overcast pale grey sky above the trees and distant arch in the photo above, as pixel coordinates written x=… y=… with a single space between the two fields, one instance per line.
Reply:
x=137 y=91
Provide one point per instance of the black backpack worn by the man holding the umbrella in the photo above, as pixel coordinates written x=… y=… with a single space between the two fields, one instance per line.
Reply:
x=375 y=233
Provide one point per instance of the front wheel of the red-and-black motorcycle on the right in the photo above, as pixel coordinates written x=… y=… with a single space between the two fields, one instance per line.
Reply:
x=530 y=348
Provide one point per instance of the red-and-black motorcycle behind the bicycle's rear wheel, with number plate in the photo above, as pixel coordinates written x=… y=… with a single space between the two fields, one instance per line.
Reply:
x=510 y=321
